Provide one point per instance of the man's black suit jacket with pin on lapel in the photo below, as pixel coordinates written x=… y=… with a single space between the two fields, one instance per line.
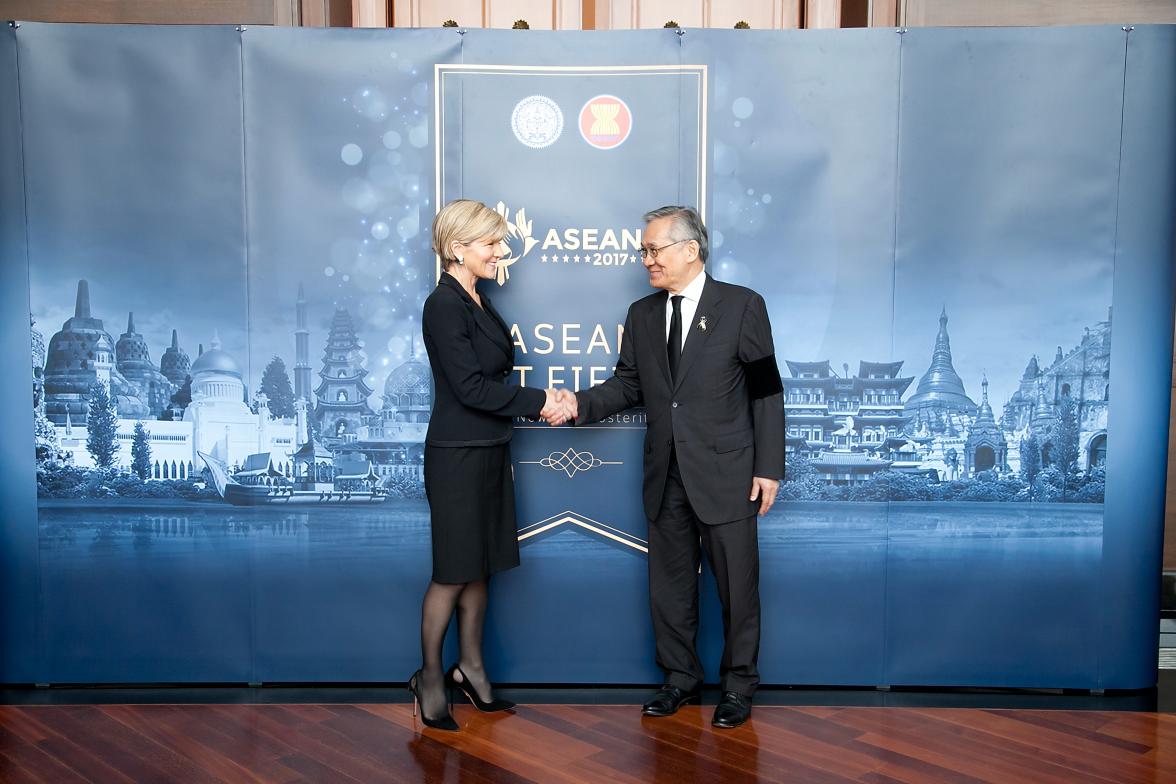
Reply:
x=725 y=418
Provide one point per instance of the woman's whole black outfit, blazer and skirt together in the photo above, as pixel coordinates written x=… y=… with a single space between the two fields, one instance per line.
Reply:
x=467 y=452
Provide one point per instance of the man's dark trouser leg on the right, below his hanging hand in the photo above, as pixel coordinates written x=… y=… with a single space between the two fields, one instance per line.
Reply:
x=734 y=553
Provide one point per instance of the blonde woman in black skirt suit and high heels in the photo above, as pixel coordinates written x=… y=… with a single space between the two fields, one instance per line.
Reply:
x=467 y=454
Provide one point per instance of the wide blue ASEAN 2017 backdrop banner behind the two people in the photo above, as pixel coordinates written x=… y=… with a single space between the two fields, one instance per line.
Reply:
x=222 y=238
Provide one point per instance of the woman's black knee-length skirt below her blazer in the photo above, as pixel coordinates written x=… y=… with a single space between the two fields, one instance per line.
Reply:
x=471 y=495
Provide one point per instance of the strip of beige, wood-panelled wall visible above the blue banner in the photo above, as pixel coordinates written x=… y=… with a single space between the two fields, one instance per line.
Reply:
x=597 y=15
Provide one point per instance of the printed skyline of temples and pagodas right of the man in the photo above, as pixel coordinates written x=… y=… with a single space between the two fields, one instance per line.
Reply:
x=852 y=428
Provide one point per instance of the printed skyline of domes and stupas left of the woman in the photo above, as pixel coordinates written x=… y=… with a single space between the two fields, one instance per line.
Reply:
x=198 y=414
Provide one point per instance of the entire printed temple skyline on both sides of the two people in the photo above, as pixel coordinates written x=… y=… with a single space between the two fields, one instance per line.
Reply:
x=852 y=437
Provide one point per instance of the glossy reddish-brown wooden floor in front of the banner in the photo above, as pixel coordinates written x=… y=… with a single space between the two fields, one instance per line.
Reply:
x=574 y=743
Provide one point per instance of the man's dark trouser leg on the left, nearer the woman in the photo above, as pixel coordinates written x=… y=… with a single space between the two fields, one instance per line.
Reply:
x=674 y=586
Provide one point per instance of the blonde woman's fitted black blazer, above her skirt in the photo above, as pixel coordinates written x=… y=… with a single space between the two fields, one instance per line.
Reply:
x=472 y=358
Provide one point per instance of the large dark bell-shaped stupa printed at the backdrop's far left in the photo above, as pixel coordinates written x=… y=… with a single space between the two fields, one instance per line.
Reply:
x=81 y=356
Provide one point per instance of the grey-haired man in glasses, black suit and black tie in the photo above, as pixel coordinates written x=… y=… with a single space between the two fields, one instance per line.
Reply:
x=699 y=356
